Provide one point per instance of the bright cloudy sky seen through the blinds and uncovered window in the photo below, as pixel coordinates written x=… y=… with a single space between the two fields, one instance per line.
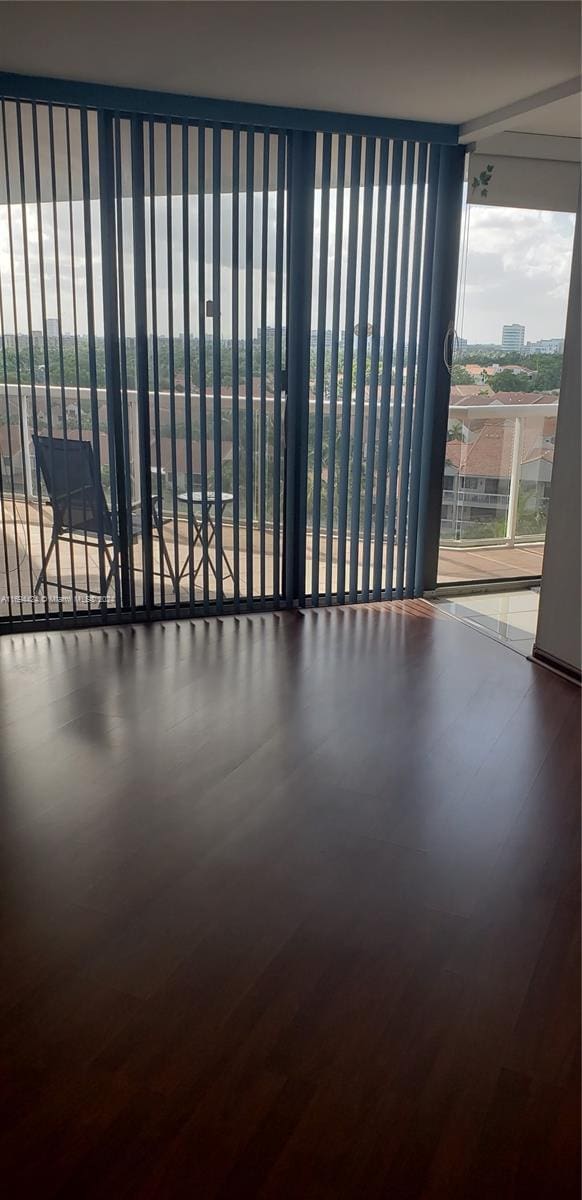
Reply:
x=515 y=267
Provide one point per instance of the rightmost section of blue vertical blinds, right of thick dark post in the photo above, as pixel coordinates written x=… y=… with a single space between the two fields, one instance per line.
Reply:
x=373 y=273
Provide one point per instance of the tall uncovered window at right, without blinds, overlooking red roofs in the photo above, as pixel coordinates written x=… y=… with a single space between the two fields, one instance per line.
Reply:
x=506 y=376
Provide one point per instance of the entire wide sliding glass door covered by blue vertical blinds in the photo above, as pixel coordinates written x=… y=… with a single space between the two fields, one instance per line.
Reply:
x=221 y=363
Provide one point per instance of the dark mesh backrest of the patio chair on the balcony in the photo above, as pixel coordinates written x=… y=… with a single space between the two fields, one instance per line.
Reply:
x=75 y=490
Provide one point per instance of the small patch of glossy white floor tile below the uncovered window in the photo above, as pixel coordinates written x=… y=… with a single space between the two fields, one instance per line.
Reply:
x=509 y=616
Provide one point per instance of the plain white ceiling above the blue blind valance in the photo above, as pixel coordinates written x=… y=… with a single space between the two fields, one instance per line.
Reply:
x=442 y=62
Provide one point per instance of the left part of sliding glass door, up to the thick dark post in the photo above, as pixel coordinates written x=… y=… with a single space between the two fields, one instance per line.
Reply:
x=143 y=353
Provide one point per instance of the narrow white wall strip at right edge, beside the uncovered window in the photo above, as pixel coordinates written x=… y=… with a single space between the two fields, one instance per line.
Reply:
x=560 y=622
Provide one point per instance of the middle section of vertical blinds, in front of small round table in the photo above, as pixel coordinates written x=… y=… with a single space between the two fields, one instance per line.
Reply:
x=215 y=205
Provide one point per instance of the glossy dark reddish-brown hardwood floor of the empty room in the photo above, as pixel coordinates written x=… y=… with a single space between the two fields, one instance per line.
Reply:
x=290 y=909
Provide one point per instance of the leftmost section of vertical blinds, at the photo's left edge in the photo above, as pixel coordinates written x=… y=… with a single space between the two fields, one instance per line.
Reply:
x=53 y=386
